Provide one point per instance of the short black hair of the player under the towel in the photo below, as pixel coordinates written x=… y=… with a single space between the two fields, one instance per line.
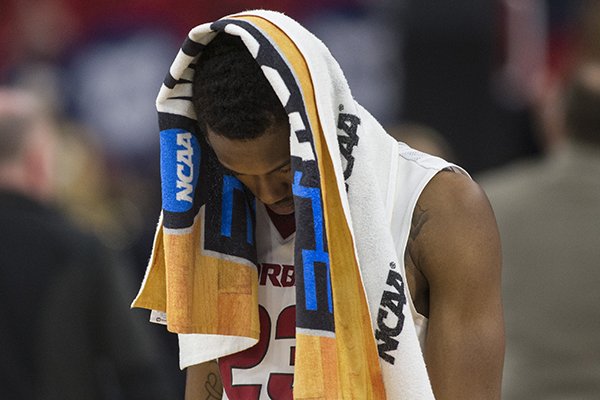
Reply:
x=230 y=92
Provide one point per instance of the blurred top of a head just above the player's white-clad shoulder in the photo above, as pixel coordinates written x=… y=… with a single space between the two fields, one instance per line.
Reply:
x=423 y=138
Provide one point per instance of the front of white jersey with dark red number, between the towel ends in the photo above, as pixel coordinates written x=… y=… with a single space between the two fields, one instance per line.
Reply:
x=266 y=370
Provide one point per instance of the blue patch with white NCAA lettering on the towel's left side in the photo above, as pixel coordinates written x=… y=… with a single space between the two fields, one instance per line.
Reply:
x=179 y=165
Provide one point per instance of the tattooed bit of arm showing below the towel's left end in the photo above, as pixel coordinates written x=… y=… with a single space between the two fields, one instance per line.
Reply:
x=203 y=382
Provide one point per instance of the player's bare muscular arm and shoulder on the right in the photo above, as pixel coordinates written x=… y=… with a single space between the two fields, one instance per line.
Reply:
x=457 y=249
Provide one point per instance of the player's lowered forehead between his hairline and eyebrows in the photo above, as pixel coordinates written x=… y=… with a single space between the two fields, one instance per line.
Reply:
x=257 y=156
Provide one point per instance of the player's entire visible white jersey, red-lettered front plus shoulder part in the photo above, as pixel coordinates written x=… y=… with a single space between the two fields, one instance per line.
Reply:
x=265 y=371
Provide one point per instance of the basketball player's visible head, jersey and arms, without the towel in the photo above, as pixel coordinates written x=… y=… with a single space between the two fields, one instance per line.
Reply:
x=452 y=258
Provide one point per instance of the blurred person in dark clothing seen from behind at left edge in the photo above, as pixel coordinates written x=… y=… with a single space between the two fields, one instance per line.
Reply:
x=67 y=331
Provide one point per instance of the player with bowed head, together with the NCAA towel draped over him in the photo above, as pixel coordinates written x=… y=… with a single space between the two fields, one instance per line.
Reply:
x=302 y=252
